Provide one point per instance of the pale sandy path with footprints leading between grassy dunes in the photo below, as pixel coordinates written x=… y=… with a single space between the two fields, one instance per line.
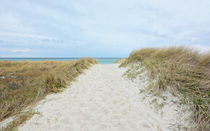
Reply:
x=101 y=99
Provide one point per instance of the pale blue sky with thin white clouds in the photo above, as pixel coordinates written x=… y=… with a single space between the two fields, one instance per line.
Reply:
x=100 y=28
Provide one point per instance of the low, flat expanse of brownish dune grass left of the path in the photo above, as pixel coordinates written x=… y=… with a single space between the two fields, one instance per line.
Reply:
x=23 y=83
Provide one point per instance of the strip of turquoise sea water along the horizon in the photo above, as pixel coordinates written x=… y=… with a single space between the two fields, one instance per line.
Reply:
x=100 y=60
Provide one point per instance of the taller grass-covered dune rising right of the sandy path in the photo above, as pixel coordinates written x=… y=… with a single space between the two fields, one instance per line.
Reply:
x=183 y=69
